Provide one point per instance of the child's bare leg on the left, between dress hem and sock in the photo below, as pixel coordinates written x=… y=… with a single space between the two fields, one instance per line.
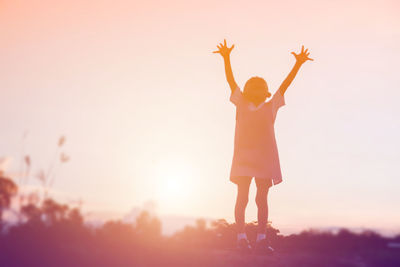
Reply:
x=242 y=199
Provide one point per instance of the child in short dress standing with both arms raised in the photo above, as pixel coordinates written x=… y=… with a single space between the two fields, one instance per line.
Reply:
x=255 y=150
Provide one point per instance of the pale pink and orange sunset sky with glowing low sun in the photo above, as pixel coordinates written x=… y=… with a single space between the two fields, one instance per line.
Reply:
x=144 y=104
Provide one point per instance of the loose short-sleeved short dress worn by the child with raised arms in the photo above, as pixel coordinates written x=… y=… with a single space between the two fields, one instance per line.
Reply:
x=255 y=150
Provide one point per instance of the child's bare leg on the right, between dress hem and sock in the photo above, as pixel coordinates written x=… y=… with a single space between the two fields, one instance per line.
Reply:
x=262 y=203
